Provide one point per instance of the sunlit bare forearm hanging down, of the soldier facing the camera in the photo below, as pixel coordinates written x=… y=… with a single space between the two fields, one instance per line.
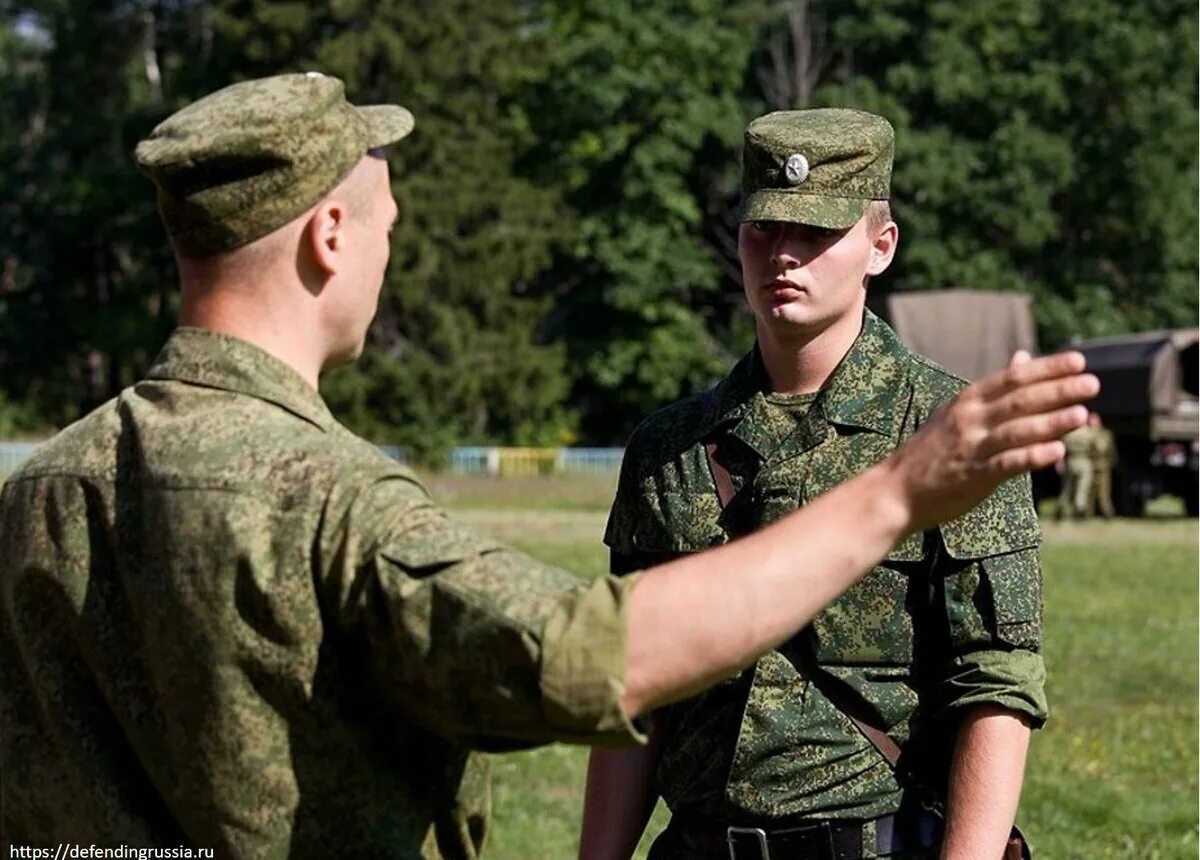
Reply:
x=986 y=783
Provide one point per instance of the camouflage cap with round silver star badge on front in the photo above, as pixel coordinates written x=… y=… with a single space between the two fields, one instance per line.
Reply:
x=815 y=167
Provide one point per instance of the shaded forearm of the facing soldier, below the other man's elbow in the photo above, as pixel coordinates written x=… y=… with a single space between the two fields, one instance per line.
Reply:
x=619 y=802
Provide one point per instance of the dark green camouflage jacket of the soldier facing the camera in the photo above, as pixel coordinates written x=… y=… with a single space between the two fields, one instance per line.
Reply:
x=952 y=618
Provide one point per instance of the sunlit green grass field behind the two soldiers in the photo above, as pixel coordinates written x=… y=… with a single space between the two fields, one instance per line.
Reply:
x=1114 y=773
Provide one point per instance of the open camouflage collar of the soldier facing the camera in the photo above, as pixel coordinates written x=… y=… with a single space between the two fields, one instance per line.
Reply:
x=861 y=393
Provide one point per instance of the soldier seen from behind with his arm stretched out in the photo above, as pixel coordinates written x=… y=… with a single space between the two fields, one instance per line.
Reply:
x=229 y=623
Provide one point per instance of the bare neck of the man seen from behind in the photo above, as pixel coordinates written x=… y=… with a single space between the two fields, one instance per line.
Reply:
x=254 y=318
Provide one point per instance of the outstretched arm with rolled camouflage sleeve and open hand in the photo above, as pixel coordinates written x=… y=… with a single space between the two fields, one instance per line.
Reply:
x=479 y=642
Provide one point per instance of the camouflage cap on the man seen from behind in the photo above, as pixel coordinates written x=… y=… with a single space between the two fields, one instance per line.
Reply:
x=247 y=160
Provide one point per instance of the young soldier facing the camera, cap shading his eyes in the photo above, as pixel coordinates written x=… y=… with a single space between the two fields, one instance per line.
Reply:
x=938 y=648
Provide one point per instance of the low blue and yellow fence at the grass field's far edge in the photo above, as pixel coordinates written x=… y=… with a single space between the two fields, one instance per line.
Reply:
x=464 y=461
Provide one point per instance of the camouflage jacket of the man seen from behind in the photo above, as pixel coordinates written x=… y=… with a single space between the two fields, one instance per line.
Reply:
x=227 y=622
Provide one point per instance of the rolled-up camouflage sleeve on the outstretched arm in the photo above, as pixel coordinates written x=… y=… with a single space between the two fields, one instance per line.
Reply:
x=469 y=638
